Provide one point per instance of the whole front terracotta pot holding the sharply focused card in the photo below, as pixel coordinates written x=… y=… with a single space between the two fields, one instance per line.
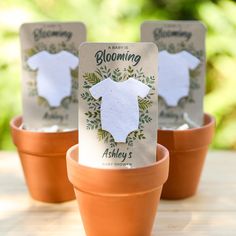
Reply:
x=118 y=202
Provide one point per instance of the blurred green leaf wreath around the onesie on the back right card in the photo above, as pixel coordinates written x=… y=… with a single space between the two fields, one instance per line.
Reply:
x=194 y=84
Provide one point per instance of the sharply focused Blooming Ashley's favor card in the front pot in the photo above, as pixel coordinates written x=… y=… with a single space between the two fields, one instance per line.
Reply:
x=117 y=104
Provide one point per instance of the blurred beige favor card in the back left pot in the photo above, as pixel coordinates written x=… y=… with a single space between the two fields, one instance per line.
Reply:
x=50 y=63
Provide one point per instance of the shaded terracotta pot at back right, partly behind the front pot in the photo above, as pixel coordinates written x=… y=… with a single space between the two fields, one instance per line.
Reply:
x=188 y=149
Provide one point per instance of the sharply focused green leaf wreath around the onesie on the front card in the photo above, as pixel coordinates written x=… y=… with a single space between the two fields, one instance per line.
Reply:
x=93 y=114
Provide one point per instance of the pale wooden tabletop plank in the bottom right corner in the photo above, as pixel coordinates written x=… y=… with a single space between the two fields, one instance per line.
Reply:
x=195 y=223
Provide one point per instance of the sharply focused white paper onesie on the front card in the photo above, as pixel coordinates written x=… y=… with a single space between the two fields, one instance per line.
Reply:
x=119 y=106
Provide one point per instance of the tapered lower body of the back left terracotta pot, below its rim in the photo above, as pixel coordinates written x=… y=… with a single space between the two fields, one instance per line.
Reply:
x=46 y=178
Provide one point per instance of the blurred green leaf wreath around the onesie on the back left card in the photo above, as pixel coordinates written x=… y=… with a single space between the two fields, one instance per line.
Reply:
x=32 y=84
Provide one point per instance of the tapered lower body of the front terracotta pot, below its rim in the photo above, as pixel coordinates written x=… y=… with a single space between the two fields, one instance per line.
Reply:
x=128 y=215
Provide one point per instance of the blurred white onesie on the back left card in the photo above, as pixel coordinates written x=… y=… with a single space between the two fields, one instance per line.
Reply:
x=53 y=74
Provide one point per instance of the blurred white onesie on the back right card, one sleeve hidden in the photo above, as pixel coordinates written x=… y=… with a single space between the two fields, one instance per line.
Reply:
x=174 y=78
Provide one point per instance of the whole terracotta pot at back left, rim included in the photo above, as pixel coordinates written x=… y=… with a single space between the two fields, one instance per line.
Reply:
x=43 y=158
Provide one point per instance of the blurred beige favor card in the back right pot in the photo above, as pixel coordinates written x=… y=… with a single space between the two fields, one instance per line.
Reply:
x=181 y=70
